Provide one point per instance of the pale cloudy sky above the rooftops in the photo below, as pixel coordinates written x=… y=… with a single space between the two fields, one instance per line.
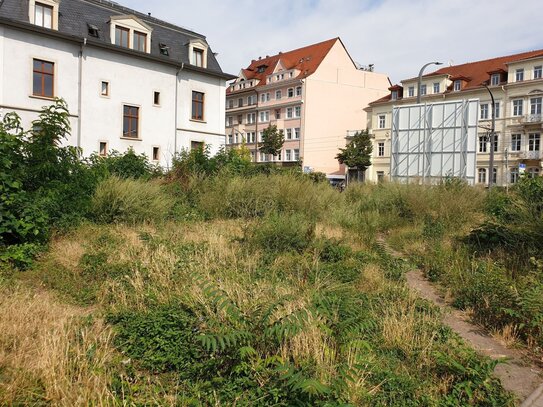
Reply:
x=397 y=36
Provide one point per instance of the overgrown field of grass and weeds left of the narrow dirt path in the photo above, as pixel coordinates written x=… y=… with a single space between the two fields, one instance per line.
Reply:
x=279 y=297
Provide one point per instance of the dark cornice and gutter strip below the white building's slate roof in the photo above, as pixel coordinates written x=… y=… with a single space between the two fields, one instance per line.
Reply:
x=84 y=41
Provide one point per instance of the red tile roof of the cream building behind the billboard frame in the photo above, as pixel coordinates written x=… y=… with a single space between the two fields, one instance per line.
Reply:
x=475 y=73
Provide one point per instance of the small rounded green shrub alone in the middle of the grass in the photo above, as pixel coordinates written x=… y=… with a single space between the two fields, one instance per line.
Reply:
x=281 y=233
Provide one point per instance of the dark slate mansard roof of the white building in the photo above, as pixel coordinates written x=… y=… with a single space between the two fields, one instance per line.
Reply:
x=76 y=15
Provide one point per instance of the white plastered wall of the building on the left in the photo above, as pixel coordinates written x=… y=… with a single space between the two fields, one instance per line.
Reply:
x=132 y=81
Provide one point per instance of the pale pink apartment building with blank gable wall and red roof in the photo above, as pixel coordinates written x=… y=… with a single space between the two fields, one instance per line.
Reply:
x=313 y=94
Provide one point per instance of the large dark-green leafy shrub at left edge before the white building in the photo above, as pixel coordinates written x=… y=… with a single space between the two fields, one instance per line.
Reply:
x=38 y=177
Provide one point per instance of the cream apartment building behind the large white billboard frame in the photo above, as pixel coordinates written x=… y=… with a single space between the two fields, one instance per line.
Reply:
x=516 y=83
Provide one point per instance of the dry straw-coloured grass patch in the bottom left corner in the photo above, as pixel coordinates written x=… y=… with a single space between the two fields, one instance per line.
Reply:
x=47 y=355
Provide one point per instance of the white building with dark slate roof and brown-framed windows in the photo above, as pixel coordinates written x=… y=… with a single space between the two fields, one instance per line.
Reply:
x=130 y=80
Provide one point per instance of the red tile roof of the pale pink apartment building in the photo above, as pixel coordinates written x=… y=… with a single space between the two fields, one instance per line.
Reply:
x=306 y=60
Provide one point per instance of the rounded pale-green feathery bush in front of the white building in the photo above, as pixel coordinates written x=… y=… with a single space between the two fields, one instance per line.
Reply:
x=130 y=201
